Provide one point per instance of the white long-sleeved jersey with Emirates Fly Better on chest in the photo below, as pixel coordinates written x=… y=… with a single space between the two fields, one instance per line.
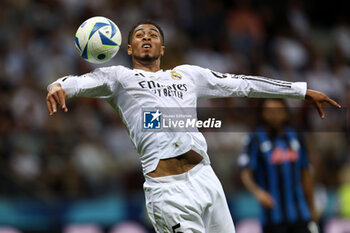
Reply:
x=129 y=91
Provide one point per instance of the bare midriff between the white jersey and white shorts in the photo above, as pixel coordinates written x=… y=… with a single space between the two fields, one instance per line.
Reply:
x=177 y=165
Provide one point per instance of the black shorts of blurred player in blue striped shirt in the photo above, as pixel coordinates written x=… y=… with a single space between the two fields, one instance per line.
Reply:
x=297 y=227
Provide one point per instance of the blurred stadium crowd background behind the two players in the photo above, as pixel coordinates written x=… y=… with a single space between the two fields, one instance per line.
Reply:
x=81 y=168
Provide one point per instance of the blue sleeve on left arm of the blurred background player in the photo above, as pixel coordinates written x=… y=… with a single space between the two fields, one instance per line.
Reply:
x=249 y=156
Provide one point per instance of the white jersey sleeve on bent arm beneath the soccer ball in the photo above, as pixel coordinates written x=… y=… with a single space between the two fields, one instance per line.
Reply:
x=100 y=83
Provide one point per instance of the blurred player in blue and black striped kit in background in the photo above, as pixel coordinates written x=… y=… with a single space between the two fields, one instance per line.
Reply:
x=276 y=170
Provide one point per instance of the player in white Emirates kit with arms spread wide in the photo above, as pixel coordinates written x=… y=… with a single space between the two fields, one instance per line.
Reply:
x=182 y=191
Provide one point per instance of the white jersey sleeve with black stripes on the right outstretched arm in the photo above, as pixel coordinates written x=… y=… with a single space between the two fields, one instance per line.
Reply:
x=214 y=84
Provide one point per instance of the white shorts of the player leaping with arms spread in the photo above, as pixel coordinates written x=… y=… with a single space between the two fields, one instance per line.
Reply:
x=192 y=202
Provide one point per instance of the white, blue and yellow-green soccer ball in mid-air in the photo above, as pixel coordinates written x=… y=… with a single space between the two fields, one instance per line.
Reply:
x=98 y=39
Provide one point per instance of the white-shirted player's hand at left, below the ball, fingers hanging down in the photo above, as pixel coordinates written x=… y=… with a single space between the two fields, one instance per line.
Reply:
x=56 y=97
